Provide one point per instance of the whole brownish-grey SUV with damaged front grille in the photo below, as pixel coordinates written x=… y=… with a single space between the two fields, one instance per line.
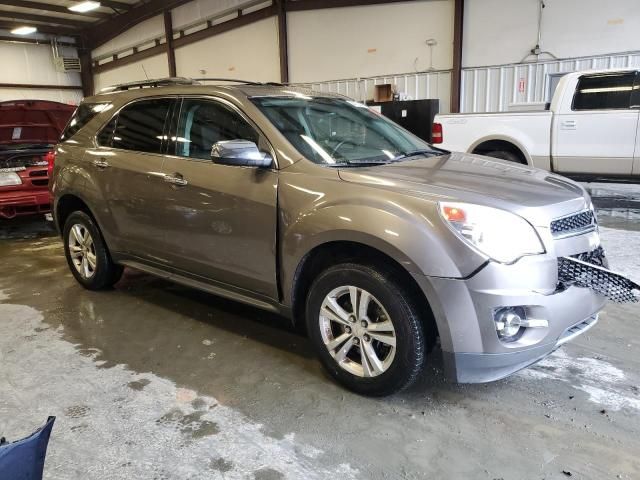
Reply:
x=313 y=206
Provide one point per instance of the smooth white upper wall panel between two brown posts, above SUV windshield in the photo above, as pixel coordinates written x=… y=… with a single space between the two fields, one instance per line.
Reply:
x=351 y=42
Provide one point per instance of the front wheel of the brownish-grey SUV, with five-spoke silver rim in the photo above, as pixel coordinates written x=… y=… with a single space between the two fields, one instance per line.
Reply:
x=366 y=329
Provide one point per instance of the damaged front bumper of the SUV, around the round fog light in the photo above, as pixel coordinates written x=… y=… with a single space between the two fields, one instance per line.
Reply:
x=464 y=312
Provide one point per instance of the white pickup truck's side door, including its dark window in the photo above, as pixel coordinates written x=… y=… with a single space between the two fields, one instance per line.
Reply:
x=598 y=133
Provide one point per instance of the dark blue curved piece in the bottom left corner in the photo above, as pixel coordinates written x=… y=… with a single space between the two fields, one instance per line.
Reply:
x=24 y=459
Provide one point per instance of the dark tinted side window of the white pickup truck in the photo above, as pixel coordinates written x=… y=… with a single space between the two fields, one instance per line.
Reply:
x=605 y=91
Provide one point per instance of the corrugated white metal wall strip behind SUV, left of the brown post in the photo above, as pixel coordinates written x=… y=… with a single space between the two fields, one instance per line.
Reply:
x=418 y=86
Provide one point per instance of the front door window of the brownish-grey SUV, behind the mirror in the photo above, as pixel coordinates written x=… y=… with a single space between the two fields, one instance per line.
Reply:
x=203 y=123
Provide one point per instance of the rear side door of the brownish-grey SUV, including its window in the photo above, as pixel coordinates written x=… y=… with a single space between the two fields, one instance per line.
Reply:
x=128 y=169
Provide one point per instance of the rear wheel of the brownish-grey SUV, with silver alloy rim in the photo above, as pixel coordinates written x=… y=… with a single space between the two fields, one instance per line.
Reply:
x=87 y=254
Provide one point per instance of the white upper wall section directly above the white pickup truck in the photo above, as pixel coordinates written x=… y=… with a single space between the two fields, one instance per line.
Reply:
x=504 y=31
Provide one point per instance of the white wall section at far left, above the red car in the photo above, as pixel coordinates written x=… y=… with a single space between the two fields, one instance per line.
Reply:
x=33 y=64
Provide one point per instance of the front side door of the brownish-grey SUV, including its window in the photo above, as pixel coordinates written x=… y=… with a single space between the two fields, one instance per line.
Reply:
x=220 y=220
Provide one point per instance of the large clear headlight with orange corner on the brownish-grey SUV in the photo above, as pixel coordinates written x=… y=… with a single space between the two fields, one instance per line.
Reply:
x=501 y=235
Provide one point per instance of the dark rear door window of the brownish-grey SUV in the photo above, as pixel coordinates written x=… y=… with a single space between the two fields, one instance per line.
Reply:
x=140 y=126
